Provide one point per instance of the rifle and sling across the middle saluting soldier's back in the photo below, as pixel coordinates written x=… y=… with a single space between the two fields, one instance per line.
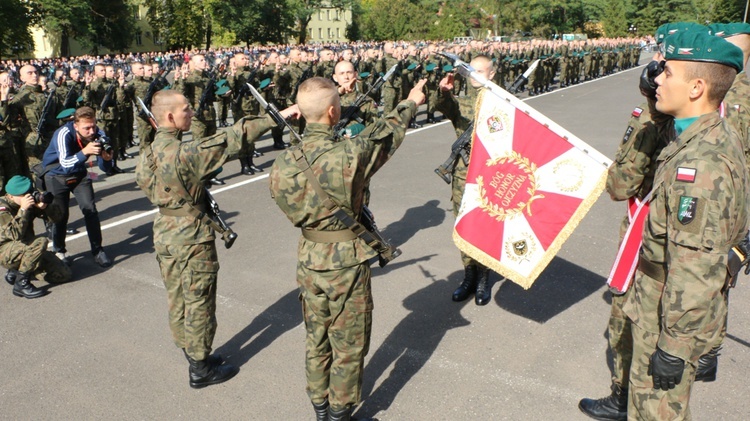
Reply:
x=365 y=228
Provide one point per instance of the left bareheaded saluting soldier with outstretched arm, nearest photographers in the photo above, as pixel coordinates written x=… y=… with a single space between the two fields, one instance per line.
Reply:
x=172 y=174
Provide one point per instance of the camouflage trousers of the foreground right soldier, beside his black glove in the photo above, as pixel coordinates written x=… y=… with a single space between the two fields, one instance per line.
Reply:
x=645 y=402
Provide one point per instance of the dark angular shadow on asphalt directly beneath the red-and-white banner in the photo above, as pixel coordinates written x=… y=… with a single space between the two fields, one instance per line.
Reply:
x=559 y=287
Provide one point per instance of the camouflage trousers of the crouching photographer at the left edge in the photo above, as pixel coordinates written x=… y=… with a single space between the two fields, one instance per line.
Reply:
x=35 y=260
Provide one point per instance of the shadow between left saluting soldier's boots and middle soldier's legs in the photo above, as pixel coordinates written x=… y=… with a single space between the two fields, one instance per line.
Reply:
x=266 y=327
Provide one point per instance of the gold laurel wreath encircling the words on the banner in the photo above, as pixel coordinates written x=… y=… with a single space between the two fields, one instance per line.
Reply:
x=527 y=169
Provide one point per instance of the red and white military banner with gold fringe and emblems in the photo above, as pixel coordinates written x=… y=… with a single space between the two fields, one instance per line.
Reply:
x=530 y=182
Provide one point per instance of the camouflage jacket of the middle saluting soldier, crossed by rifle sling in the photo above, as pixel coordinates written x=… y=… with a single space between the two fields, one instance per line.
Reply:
x=343 y=170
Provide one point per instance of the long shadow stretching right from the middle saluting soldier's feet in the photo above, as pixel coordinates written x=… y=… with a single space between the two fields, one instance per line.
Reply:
x=411 y=343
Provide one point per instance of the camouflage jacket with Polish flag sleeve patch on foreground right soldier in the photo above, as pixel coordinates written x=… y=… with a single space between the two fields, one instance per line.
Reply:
x=697 y=212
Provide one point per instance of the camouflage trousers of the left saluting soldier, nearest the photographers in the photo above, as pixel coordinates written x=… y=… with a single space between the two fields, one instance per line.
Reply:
x=189 y=273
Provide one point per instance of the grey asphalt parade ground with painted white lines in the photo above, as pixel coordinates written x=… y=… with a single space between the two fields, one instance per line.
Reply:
x=99 y=348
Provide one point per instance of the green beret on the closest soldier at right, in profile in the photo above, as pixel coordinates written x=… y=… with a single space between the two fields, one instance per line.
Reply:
x=702 y=47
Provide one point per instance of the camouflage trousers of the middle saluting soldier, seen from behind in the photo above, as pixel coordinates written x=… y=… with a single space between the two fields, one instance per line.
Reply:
x=337 y=309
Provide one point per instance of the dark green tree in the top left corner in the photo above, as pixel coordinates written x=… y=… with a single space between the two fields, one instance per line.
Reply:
x=15 y=35
